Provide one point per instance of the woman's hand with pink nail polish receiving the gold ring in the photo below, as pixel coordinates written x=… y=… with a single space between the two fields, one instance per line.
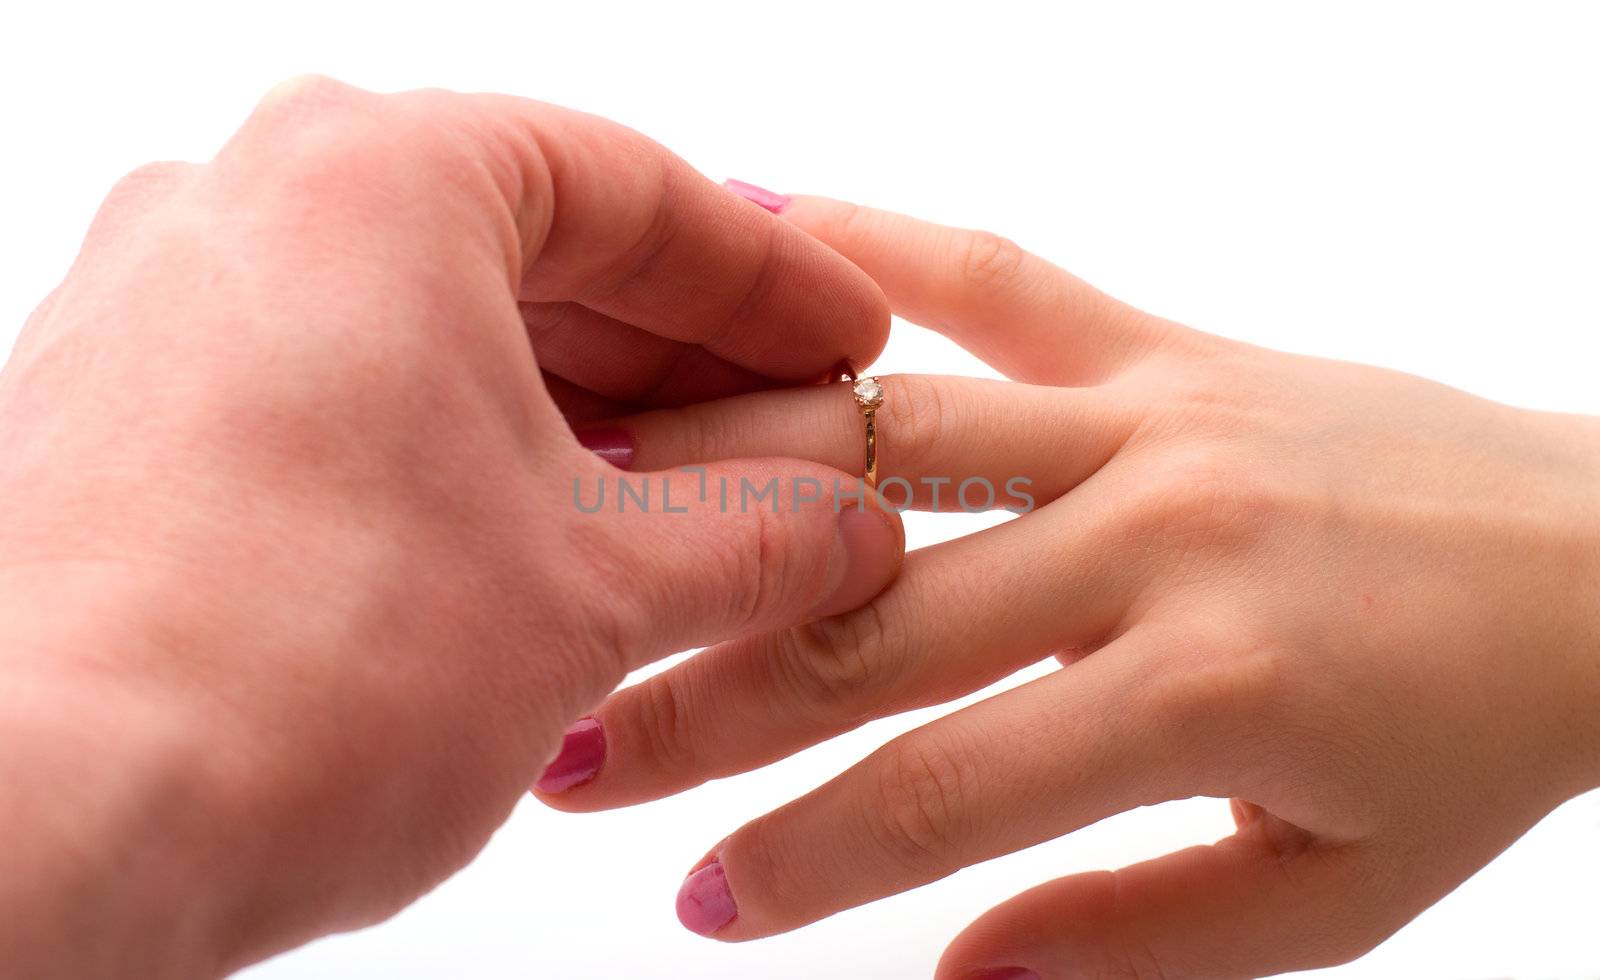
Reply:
x=1361 y=604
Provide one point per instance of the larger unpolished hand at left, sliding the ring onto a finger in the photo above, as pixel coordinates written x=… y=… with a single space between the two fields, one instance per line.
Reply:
x=294 y=596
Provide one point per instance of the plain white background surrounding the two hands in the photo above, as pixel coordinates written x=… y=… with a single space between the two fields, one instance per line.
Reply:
x=1406 y=185
